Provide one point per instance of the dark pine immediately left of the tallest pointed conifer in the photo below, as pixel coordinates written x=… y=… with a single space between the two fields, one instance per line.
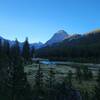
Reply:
x=18 y=80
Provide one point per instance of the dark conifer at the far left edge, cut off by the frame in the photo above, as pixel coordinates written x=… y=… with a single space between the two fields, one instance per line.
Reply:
x=4 y=65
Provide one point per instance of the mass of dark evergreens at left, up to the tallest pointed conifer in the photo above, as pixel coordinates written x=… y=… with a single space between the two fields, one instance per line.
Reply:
x=13 y=81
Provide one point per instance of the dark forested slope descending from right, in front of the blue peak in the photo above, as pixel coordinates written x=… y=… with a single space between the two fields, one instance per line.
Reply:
x=86 y=46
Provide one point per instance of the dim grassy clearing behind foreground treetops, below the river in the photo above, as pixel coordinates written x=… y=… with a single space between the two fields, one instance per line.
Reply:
x=60 y=73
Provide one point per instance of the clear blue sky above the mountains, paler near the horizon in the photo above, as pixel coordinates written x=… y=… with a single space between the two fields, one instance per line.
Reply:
x=40 y=19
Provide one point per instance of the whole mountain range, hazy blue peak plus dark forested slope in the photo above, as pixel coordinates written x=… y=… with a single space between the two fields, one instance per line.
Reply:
x=62 y=46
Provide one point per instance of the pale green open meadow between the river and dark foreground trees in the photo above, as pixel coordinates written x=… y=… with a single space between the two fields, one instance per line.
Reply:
x=61 y=72
